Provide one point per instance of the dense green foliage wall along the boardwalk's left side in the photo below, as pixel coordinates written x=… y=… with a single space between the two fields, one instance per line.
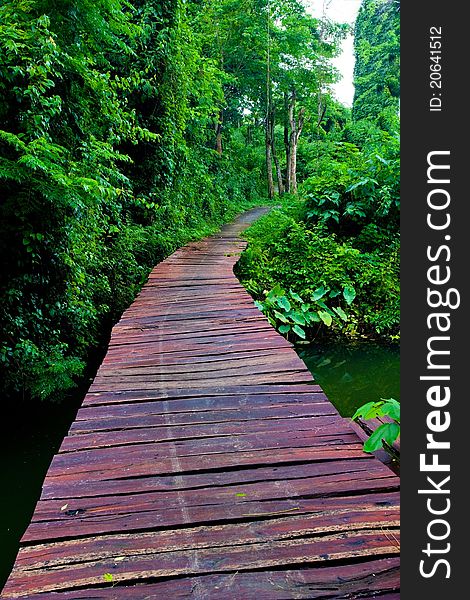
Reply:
x=106 y=165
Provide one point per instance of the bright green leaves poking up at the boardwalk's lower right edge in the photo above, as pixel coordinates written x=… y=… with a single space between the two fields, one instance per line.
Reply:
x=387 y=432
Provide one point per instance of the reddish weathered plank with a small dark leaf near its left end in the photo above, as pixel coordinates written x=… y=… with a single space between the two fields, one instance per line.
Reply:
x=162 y=510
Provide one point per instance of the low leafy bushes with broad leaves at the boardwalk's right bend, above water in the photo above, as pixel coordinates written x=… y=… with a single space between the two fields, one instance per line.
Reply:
x=332 y=275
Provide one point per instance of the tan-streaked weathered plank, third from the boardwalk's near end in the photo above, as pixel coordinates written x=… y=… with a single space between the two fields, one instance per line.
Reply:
x=126 y=546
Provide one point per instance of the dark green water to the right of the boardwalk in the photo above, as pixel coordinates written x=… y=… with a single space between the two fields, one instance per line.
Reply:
x=353 y=374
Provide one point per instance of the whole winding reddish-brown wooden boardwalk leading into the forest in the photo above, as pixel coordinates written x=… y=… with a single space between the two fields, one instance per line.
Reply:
x=205 y=463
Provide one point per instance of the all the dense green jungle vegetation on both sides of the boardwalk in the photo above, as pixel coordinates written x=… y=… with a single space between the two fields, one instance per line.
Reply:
x=129 y=128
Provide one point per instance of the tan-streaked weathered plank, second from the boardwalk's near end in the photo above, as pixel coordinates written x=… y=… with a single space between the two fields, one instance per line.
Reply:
x=342 y=546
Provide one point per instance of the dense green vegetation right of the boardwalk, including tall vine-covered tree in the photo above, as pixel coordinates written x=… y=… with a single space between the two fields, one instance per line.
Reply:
x=327 y=261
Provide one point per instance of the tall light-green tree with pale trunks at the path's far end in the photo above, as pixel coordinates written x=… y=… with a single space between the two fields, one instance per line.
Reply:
x=267 y=50
